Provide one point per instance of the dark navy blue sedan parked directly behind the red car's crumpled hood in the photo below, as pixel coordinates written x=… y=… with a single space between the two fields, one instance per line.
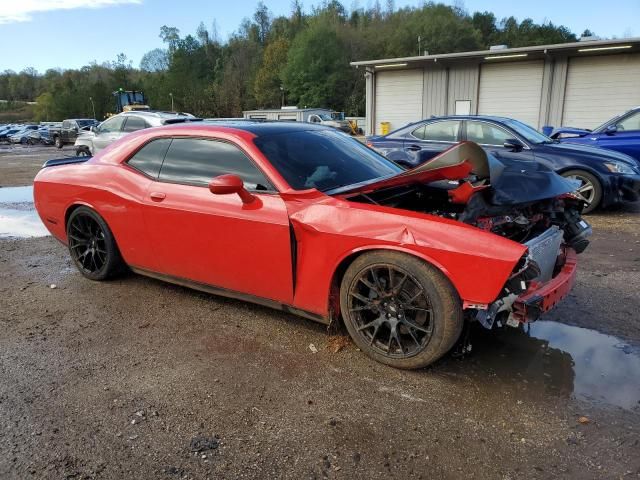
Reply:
x=606 y=177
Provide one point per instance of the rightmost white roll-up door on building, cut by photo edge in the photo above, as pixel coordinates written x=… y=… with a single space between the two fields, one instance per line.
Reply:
x=599 y=88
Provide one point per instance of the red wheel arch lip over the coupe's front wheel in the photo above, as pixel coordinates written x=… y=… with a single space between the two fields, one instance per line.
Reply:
x=349 y=257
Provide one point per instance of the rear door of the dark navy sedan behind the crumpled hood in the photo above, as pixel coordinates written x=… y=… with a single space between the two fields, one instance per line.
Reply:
x=430 y=139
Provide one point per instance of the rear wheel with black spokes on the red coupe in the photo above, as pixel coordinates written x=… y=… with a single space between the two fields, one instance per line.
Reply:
x=92 y=246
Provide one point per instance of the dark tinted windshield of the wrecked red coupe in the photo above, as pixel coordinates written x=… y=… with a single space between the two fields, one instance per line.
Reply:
x=323 y=159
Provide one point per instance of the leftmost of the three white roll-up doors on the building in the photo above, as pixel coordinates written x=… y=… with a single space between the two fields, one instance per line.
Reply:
x=398 y=98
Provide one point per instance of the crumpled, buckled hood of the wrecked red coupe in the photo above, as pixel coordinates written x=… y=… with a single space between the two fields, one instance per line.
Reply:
x=512 y=182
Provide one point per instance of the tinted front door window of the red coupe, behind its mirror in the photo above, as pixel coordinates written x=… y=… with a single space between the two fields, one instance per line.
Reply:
x=197 y=161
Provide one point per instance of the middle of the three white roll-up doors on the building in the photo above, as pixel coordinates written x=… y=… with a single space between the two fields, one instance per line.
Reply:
x=511 y=90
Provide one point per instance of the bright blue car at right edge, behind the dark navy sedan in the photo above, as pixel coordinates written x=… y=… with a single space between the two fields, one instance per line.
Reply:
x=621 y=133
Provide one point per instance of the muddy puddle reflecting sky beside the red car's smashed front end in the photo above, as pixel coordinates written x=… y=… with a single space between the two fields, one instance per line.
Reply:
x=557 y=359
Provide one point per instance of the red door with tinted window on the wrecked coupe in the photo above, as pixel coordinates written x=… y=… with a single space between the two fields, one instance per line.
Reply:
x=217 y=239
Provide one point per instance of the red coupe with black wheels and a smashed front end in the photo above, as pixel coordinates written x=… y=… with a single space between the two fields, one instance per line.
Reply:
x=305 y=219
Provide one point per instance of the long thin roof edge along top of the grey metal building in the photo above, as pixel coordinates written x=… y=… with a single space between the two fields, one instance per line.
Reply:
x=584 y=47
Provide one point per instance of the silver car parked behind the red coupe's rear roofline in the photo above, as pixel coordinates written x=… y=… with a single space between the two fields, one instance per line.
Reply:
x=116 y=127
